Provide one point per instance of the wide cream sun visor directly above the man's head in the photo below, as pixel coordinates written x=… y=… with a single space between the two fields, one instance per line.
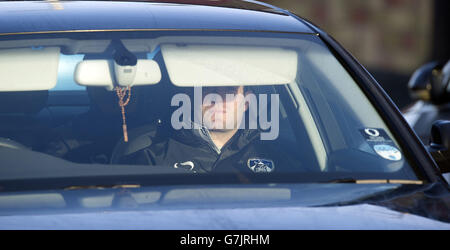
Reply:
x=216 y=65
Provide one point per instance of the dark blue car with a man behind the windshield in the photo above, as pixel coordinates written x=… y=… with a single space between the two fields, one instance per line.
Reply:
x=200 y=115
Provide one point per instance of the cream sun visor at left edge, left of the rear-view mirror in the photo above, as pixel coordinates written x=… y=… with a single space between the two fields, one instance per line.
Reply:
x=28 y=69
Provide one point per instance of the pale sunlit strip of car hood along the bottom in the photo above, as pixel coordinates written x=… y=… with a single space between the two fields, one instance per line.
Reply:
x=363 y=216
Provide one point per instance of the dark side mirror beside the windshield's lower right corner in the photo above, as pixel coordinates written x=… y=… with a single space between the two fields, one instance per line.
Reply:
x=440 y=144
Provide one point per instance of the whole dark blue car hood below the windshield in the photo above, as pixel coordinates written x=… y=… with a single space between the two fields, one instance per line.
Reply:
x=281 y=206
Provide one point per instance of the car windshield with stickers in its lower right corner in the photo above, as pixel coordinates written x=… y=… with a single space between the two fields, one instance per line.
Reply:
x=277 y=107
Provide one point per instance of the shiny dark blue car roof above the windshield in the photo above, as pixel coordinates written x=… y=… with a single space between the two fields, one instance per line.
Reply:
x=22 y=17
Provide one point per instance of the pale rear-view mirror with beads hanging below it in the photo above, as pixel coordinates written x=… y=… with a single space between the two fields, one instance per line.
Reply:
x=101 y=73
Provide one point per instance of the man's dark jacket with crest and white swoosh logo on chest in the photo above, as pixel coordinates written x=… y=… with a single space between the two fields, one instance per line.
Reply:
x=194 y=150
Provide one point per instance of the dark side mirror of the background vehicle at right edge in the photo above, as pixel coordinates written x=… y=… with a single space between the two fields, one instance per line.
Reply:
x=426 y=84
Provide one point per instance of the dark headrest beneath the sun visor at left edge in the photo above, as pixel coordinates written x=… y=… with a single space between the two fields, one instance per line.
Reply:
x=29 y=102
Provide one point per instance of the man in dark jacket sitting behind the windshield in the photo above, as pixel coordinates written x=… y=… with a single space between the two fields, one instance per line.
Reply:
x=216 y=141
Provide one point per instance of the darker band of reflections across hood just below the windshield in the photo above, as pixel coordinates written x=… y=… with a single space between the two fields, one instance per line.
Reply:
x=117 y=198
